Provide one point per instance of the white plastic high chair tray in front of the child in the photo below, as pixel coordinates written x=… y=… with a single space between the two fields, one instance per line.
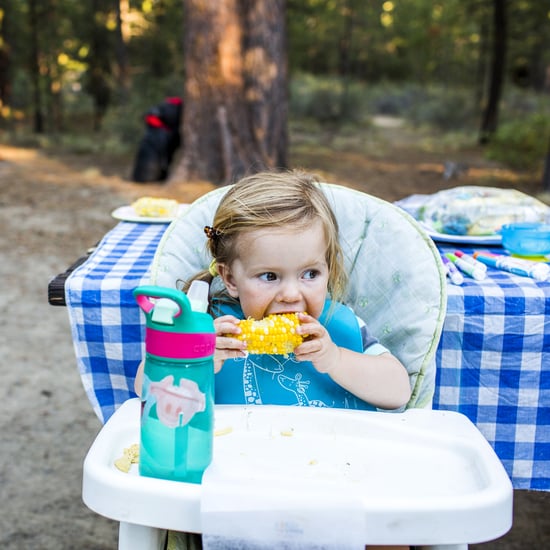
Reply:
x=422 y=476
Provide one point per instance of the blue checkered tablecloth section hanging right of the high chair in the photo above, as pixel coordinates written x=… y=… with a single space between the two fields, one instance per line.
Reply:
x=494 y=366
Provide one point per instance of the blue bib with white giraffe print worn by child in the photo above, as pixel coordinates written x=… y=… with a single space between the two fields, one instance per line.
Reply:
x=281 y=380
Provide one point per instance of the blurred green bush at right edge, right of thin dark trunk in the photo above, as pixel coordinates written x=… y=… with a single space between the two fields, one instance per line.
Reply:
x=521 y=143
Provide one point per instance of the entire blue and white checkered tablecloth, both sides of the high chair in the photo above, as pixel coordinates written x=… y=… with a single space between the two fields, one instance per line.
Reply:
x=493 y=358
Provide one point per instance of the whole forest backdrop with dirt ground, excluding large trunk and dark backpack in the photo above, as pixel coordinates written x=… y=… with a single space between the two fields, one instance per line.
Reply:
x=380 y=94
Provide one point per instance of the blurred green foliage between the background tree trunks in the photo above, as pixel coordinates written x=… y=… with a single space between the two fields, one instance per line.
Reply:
x=422 y=61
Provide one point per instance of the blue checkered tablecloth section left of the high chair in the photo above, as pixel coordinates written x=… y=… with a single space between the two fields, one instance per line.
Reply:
x=107 y=325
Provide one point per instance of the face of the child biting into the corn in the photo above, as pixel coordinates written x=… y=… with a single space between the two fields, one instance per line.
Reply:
x=279 y=271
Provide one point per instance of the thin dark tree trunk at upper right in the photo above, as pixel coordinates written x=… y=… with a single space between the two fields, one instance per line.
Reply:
x=500 y=32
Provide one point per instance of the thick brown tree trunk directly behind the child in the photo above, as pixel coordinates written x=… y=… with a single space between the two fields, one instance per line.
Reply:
x=235 y=98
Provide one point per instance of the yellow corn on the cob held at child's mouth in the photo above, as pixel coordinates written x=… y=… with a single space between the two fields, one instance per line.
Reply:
x=274 y=334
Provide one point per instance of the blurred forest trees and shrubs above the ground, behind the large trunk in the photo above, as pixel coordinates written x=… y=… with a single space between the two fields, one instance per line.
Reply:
x=82 y=74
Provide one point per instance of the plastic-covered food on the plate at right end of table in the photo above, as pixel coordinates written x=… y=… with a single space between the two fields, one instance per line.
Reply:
x=479 y=211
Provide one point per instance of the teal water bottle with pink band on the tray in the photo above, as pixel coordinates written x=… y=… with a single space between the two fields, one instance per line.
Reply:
x=177 y=401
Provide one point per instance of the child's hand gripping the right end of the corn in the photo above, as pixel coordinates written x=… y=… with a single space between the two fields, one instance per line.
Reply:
x=318 y=346
